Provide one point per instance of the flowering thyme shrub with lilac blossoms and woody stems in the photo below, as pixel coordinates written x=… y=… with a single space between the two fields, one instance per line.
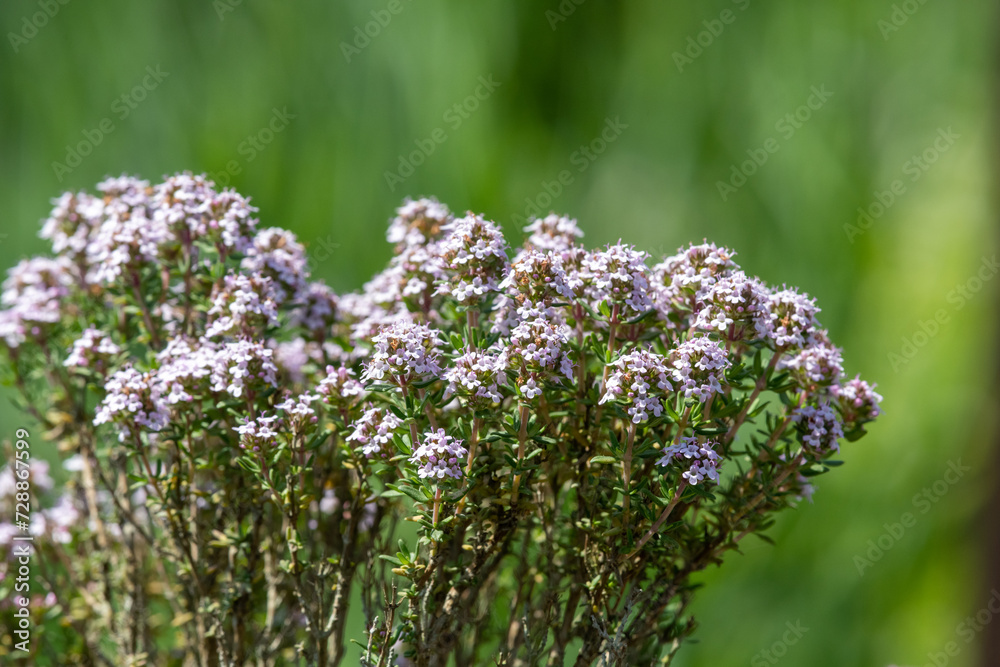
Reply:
x=487 y=455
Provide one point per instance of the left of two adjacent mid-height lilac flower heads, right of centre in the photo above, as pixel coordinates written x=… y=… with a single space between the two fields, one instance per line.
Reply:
x=639 y=382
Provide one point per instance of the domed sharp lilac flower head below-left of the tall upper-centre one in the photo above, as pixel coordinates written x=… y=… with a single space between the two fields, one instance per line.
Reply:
x=404 y=353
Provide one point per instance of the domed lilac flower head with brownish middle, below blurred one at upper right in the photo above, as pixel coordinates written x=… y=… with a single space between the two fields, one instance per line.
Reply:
x=736 y=307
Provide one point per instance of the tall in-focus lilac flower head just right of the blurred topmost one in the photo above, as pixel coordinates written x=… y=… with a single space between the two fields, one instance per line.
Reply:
x=474 y=259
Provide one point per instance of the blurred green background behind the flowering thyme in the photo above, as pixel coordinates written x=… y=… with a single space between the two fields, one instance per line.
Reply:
x=691 y=88
